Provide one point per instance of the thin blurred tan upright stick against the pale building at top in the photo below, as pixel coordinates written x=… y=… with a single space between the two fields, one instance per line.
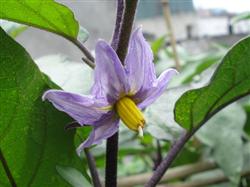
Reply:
x=167 y=17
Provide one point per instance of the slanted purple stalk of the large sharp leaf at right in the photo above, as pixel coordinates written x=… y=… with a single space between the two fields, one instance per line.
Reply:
x=167 y=161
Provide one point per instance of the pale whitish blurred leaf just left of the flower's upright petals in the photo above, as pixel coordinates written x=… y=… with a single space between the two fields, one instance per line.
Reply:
x=69 y=75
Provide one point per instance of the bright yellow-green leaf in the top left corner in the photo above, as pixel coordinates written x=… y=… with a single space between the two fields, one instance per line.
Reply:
x=47 y=15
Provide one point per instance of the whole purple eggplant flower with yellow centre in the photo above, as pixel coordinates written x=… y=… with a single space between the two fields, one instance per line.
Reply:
x=119 y=92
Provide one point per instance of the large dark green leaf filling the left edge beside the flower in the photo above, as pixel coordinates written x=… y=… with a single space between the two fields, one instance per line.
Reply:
x=32 y=135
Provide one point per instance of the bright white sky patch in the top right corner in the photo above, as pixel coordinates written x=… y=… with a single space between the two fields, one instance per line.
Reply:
x=232 y=6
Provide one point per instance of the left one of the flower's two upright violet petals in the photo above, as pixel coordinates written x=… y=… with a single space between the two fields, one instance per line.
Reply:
x=110 y=78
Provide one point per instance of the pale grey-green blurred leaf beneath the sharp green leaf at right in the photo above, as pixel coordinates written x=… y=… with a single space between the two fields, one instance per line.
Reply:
x=223 y=134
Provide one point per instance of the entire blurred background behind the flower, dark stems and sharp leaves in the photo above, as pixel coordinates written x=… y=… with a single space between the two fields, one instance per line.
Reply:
x=192 y=35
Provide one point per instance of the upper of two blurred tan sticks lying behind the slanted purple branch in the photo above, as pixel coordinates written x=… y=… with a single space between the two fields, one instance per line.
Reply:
x=178 y=172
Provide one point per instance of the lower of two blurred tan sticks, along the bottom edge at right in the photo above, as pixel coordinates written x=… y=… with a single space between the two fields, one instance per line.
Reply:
x=205 y=182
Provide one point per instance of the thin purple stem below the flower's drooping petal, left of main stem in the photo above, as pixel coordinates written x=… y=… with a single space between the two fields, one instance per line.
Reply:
x=92 y=168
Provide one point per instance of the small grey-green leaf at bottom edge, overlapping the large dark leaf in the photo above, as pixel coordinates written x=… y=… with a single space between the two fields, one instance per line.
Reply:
x=73 y=176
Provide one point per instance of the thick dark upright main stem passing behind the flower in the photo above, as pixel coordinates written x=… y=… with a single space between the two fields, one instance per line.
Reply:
x=124 y=24
